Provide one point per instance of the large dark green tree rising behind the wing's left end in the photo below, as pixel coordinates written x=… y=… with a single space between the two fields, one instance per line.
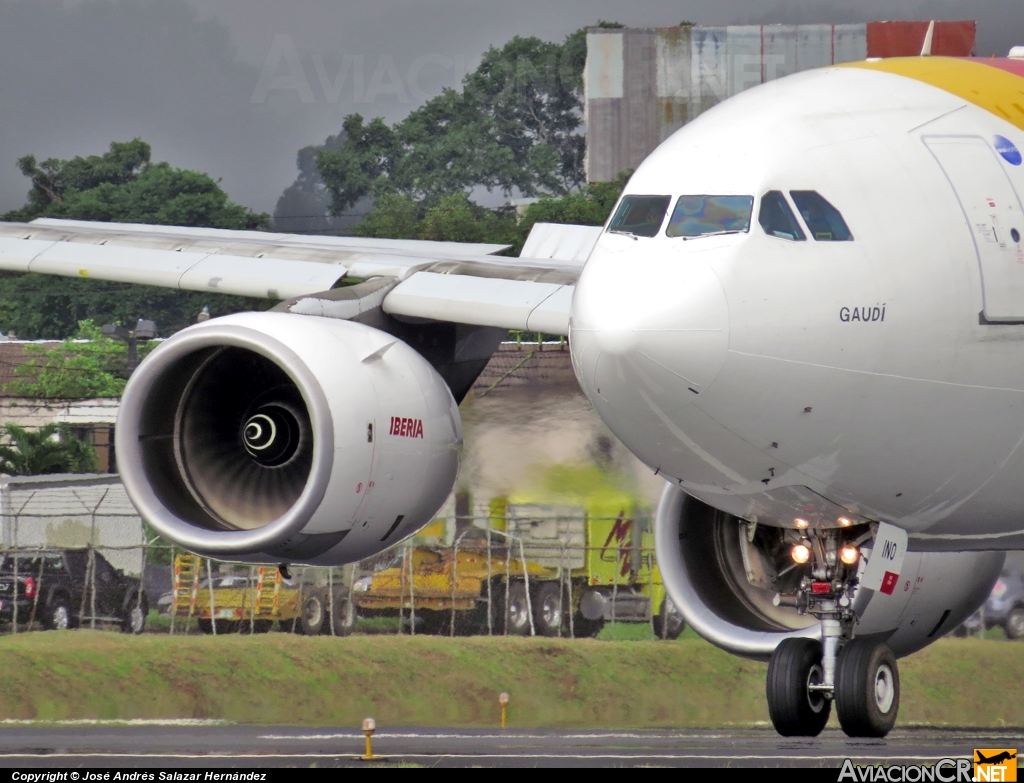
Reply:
x=121 y=186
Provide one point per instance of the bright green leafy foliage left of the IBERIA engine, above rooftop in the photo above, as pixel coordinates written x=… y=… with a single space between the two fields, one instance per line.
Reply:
x=90 y=366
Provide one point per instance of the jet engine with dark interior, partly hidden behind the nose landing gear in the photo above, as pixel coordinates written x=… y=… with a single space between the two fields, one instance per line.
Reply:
x=739 y=585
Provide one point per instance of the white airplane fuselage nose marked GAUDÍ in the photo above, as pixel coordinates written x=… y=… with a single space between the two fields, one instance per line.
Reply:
x=881 y=378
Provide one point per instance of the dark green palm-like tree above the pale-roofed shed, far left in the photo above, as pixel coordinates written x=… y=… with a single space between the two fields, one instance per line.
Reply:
x=52 y=449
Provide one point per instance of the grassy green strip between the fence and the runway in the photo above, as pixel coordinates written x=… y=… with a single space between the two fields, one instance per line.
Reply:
x=282 y=679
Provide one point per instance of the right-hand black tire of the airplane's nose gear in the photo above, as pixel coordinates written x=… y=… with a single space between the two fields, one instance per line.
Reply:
x=867 y=688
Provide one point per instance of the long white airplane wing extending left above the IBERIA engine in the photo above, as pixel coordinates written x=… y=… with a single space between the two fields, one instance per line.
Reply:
x=439 y=281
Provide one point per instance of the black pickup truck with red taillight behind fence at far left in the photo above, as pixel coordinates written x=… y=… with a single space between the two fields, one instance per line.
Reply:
x=54 y=591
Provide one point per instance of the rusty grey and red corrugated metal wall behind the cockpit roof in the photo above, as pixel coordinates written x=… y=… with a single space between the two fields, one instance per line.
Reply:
x=643 y=84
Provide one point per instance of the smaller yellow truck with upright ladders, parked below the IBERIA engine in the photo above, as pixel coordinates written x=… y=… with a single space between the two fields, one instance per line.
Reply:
x=240 y=603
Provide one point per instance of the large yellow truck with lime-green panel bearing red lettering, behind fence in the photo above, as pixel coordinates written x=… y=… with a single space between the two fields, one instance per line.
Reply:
x=551 y=572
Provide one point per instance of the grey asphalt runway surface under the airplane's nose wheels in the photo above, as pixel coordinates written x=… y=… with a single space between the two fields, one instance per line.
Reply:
x=202 y=745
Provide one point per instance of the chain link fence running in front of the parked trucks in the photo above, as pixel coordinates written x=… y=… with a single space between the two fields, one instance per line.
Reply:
x=75 y=554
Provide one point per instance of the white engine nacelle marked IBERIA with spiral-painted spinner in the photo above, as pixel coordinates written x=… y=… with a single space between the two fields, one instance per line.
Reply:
x=281 y=439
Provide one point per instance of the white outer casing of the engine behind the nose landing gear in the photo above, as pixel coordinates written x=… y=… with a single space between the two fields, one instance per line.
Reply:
x=706 y=563
